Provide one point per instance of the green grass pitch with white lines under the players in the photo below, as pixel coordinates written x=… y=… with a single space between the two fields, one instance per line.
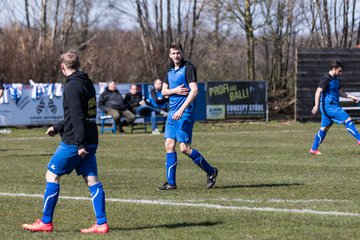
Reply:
x=269 y=186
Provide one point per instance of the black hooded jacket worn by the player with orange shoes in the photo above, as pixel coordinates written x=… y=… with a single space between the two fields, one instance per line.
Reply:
x=79 y=103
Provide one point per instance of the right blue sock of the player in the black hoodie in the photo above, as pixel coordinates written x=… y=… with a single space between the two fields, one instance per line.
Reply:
x=98 y=201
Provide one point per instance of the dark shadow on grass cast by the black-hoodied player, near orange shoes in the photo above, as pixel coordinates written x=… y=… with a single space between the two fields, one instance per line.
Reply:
x=170 y=226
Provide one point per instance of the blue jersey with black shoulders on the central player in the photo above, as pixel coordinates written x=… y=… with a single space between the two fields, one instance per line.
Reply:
x=175 y=77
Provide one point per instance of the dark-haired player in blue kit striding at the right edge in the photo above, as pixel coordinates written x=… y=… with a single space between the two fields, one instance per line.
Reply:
x=327 y=100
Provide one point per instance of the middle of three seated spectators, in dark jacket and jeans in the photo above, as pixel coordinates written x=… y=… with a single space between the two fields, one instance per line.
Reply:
x=137 y=104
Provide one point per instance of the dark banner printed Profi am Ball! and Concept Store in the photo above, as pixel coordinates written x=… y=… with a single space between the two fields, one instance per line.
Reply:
x=236 y=100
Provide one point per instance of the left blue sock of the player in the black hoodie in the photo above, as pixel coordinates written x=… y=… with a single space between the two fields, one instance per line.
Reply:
x=51 y=196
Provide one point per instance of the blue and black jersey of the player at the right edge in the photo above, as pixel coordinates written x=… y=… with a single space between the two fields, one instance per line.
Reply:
x=331 y=87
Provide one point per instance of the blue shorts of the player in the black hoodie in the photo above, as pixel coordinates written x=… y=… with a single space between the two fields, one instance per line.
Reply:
x=66 y=159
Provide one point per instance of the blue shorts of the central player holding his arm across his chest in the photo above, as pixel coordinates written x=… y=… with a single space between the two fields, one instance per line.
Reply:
x=179 y=130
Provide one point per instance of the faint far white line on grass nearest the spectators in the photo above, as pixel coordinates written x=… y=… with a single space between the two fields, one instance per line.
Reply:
x=195 y=133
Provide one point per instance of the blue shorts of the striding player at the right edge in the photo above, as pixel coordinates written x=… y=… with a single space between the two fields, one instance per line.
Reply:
x=331 y=113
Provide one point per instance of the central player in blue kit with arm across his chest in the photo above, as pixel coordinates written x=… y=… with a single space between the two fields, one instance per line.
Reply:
x=180 y=84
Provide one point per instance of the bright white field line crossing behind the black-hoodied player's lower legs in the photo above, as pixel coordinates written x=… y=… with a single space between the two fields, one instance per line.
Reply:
x=198 y=205
